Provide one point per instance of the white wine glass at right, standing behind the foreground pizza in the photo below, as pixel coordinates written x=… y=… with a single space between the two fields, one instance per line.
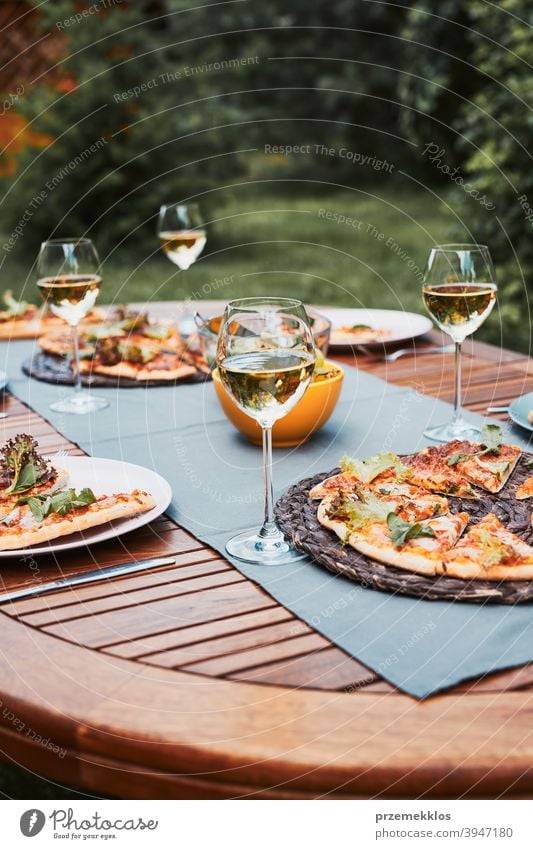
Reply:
x=459 y=292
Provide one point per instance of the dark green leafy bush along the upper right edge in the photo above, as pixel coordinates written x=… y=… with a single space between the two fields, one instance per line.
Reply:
x=482 y=52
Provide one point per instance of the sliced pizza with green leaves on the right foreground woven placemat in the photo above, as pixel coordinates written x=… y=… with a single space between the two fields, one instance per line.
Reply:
x=399 y=511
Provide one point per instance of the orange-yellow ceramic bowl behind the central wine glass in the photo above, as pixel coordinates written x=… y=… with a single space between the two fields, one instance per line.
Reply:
x=309 y=415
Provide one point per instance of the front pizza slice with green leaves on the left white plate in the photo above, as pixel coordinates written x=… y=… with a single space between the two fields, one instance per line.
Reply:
x=38 y=519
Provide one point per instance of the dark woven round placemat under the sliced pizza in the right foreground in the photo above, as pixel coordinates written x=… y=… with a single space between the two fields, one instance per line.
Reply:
x=296 y=514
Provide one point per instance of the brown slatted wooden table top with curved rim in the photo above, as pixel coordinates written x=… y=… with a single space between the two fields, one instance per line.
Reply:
x=192 y=682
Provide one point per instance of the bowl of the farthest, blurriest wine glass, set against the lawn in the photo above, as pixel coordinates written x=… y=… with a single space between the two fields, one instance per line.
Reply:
x=182 y=233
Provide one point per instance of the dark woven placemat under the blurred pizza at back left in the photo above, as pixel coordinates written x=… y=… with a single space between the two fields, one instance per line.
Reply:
x=51 y=369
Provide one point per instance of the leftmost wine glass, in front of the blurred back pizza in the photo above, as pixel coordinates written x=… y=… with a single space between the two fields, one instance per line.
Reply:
x=69 y=282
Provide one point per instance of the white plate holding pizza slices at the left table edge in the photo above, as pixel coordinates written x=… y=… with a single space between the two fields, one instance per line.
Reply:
x=104 y=477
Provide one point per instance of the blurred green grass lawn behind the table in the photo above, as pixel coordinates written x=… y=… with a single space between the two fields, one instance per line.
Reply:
x=287 y=240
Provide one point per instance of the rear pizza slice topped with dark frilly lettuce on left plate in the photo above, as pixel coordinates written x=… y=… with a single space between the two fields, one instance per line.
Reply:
x=23 y=471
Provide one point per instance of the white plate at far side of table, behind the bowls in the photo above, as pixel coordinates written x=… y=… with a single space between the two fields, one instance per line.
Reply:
x=400 y=326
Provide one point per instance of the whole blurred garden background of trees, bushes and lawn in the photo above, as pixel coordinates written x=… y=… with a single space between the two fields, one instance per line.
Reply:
x=328 y=143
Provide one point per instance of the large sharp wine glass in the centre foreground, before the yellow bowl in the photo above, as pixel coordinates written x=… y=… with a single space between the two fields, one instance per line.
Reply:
x=266 y=359
